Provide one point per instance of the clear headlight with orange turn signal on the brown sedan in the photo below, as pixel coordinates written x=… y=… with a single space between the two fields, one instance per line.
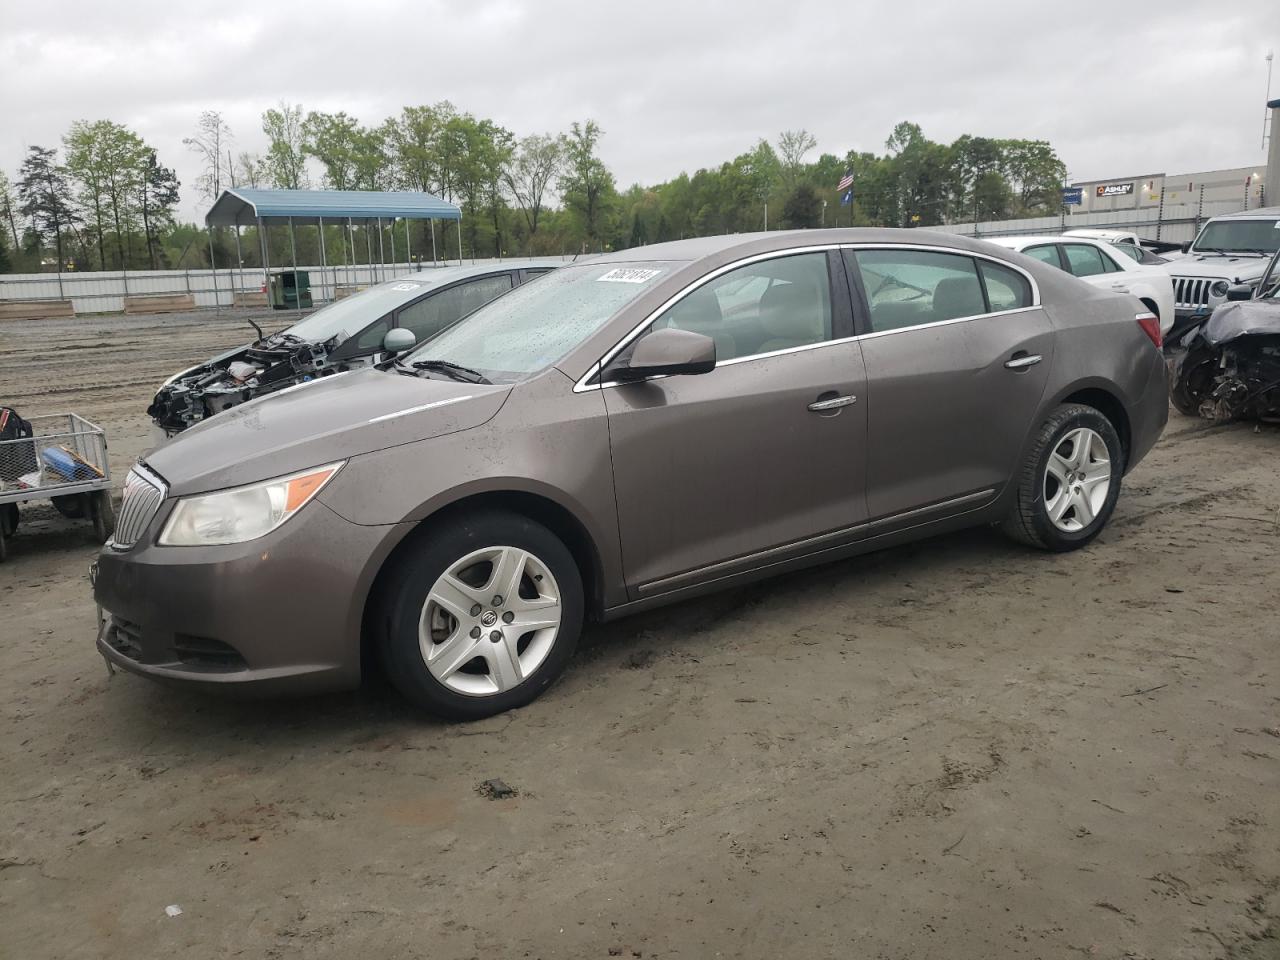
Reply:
x=244 y=513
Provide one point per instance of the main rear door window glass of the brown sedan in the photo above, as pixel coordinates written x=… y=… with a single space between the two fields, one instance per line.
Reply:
x=913 y=287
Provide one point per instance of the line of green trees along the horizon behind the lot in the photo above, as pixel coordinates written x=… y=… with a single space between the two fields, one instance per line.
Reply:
x=106 y=202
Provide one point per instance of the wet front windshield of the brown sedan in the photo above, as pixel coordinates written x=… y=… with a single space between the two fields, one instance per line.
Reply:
x=537 y=324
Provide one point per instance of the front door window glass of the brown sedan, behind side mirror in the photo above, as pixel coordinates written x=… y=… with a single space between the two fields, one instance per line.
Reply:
x=761 y=308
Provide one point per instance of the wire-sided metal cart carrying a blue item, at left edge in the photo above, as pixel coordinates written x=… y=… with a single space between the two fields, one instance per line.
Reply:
x=63 y=461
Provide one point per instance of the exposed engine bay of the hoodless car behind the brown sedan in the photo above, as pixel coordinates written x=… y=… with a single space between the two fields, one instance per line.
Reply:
x=268 y=365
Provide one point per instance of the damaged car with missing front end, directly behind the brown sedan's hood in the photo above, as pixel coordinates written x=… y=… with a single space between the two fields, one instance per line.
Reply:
x=348 y=335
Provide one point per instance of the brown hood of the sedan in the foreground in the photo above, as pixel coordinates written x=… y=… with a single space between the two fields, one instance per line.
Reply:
x=333 y=418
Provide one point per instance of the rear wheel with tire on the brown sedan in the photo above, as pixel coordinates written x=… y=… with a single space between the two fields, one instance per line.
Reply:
x=1069 y=483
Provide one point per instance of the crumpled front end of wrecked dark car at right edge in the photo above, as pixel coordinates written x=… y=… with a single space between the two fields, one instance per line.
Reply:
x=1232 y=367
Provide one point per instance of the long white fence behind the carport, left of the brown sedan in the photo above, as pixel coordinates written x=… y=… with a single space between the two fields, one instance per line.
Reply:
x=104 y=291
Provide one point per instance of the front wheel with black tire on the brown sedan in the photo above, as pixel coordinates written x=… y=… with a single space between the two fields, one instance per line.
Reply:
x=481 y=615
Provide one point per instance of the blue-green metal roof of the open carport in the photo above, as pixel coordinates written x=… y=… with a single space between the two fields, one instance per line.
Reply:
x=243 y=207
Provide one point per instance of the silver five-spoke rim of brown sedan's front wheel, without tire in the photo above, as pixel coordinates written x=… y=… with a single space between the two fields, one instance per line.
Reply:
x=490 y=621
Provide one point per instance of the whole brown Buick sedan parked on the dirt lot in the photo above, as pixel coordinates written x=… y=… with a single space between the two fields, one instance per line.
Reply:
x=627 y=432
